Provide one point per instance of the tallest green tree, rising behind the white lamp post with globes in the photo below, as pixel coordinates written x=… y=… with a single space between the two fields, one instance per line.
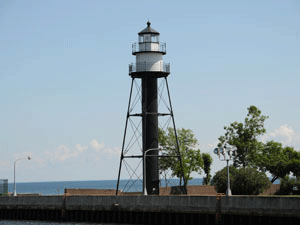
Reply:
x=244 y=136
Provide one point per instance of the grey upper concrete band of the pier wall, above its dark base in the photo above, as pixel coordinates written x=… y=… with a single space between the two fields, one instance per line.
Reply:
x=237 y=205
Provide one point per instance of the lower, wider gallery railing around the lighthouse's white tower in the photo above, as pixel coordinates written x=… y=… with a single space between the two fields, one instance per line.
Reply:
x=149 y=67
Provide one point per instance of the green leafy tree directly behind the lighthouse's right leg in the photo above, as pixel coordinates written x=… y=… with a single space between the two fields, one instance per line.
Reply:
x=190 y=155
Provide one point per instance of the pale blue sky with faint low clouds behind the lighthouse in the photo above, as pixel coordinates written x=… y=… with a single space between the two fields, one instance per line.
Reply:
x=64 y=83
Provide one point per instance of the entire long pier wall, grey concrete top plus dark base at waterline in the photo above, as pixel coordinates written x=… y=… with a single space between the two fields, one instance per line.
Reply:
x=153 y=209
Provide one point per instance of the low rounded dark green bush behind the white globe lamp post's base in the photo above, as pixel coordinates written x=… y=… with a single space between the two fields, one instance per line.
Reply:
x=243 y=181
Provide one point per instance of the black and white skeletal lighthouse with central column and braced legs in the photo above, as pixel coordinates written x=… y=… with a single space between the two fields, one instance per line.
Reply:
x=148 y=68
